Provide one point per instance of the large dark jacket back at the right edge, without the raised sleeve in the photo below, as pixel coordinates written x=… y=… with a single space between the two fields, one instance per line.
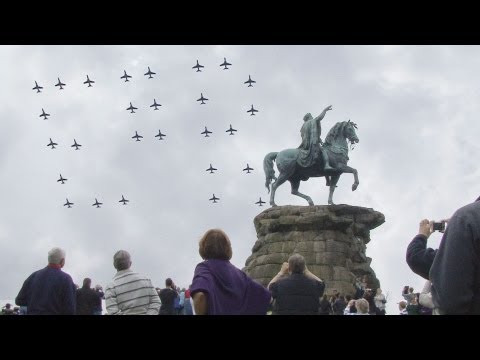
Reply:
x=455 y=272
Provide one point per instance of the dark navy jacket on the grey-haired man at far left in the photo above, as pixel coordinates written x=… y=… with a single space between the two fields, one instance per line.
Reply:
x=48 y=291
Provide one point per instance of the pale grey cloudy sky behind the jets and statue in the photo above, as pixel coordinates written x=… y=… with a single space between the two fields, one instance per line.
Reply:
x=416 y=109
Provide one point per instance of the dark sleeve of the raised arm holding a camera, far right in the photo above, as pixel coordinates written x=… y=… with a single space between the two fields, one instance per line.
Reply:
x=419 y=257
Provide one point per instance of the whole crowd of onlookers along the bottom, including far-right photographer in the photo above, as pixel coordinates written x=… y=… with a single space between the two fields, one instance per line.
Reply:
x=220 y=288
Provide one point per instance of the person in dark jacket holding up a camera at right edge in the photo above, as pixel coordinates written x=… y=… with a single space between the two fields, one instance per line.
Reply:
x=453 y=269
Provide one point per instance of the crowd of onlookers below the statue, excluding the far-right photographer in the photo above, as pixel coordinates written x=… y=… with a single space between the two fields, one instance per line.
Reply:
x=217 y=288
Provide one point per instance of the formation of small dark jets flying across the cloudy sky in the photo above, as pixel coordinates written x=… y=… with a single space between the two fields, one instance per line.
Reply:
x=149 y=74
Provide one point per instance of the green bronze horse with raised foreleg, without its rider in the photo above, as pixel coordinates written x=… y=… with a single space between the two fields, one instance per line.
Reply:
x=336 y=147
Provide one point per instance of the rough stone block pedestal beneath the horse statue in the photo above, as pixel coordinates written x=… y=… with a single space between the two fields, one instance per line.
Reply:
x=332 y=238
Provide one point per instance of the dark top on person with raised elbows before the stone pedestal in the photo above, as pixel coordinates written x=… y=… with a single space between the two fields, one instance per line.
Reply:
x=296 y=295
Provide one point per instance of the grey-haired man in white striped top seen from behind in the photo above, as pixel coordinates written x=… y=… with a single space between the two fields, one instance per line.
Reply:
x=130 y=293
